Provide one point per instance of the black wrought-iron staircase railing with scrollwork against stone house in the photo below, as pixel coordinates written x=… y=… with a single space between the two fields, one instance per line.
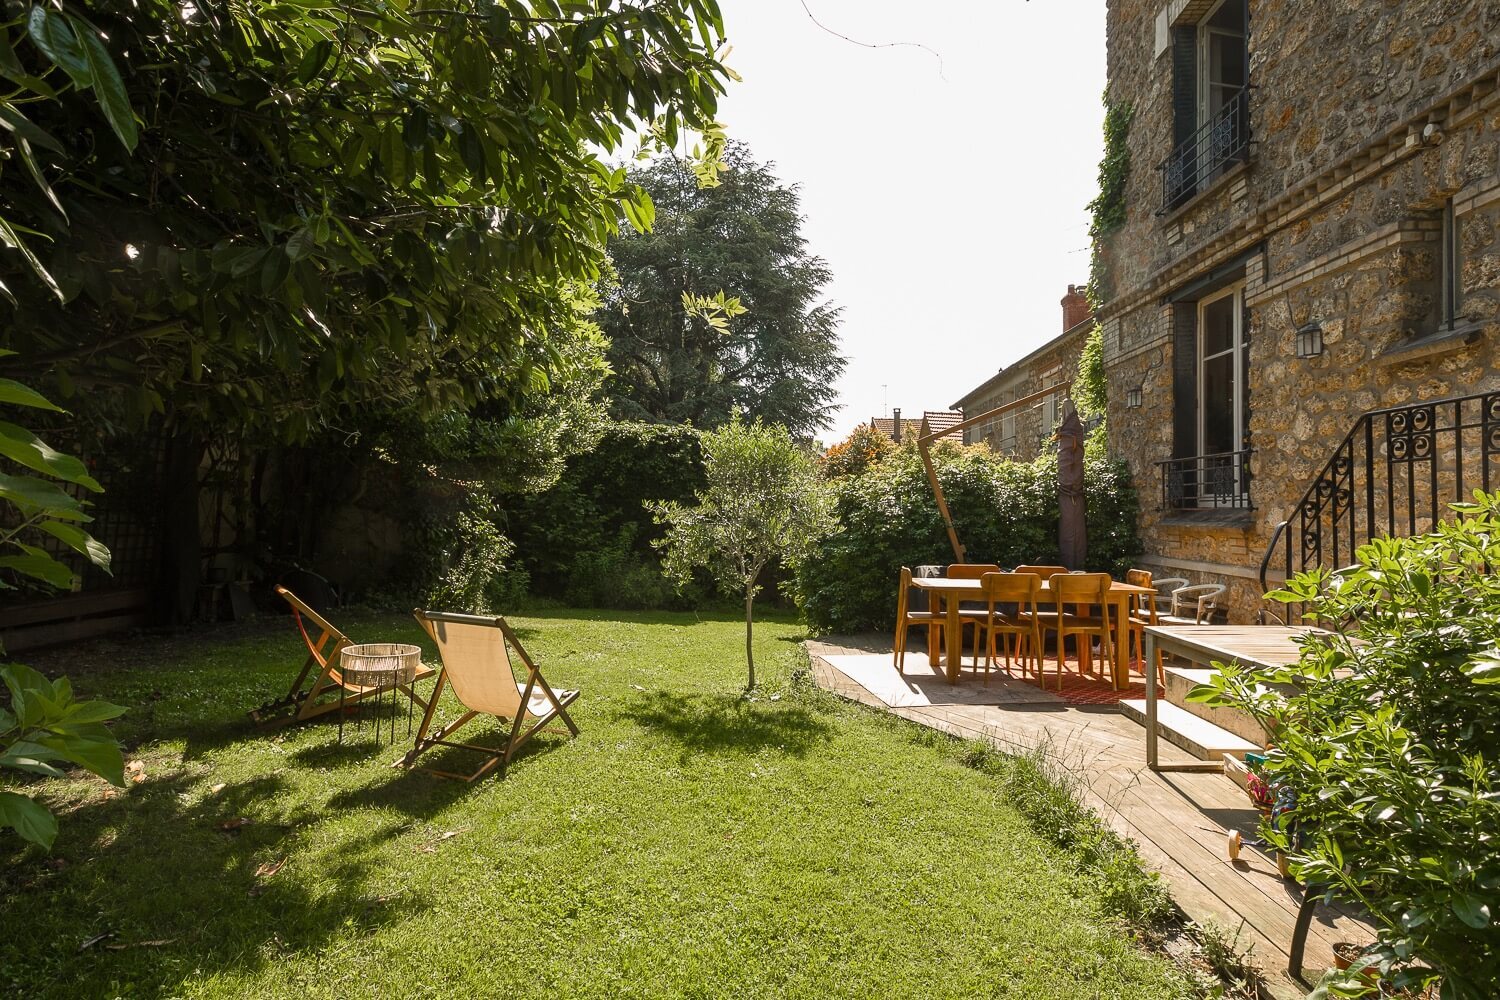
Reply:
x=1396 y=475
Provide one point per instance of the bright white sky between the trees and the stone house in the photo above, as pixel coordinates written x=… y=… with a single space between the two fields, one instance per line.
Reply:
x=946 y=187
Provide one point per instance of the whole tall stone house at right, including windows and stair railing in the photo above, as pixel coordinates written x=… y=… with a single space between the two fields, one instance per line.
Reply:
x=1313 y=233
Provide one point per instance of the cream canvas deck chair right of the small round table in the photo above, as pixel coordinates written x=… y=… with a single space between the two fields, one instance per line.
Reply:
x=478 y=665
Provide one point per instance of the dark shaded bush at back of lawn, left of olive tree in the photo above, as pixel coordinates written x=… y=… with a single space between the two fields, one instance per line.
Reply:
x=595 y=519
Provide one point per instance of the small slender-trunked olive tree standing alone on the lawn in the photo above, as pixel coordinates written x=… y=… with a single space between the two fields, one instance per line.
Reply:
x=764 y=501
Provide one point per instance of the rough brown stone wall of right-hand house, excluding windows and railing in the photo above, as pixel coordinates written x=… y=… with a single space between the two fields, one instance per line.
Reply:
x=1366 y=118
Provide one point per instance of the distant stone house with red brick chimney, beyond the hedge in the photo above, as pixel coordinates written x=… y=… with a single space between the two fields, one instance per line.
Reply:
x=1025 y=433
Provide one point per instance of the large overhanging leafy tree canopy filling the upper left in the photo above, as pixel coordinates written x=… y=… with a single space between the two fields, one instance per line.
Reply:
x=272 y=217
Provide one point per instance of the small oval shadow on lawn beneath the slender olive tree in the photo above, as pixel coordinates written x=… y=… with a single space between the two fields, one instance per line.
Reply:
x=727 y=723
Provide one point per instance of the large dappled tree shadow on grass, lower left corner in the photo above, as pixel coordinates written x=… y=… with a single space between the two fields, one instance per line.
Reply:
x=170 y=882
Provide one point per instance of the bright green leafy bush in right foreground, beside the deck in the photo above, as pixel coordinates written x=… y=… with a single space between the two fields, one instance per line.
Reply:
x=1387 y=741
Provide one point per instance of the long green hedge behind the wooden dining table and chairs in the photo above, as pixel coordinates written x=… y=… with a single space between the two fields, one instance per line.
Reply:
x=1004 y=512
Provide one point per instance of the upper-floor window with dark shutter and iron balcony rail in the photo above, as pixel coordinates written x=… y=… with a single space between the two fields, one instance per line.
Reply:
x=1210 y=86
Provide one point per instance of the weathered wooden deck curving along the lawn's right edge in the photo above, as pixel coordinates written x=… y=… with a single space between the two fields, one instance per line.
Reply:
x=1181 y=821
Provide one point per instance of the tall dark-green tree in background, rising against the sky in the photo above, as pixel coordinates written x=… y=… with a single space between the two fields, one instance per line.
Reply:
x=679 y=362
